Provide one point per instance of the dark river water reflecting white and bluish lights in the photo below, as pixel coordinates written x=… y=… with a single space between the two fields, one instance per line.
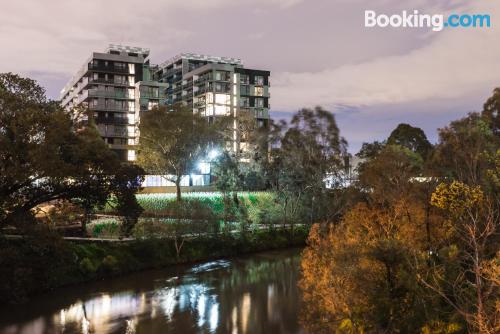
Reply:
x=252 y=294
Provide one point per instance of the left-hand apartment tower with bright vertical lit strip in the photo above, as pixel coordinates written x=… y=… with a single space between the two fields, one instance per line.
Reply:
x=115 y=85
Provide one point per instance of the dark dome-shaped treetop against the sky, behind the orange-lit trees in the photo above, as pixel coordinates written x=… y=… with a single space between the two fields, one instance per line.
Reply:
x=412 y=138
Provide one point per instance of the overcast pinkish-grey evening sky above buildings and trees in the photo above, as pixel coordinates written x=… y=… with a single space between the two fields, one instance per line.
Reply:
x=318 y=51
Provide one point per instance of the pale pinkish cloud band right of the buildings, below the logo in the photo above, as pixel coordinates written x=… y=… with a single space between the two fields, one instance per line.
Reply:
x=453 y=63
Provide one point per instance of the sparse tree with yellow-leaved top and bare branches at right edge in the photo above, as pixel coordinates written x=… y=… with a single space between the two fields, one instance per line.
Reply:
x=472 y=289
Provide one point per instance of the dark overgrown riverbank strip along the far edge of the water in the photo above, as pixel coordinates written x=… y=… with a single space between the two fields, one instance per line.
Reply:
x=38 y=264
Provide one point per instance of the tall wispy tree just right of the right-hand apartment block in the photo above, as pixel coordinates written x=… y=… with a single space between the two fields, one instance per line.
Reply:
x=310 y=150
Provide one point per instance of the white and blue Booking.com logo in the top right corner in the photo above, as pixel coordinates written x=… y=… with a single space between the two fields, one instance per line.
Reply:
x=416 y=20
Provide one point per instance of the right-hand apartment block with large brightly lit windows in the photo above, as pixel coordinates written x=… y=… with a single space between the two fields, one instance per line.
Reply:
x=217 y=86
